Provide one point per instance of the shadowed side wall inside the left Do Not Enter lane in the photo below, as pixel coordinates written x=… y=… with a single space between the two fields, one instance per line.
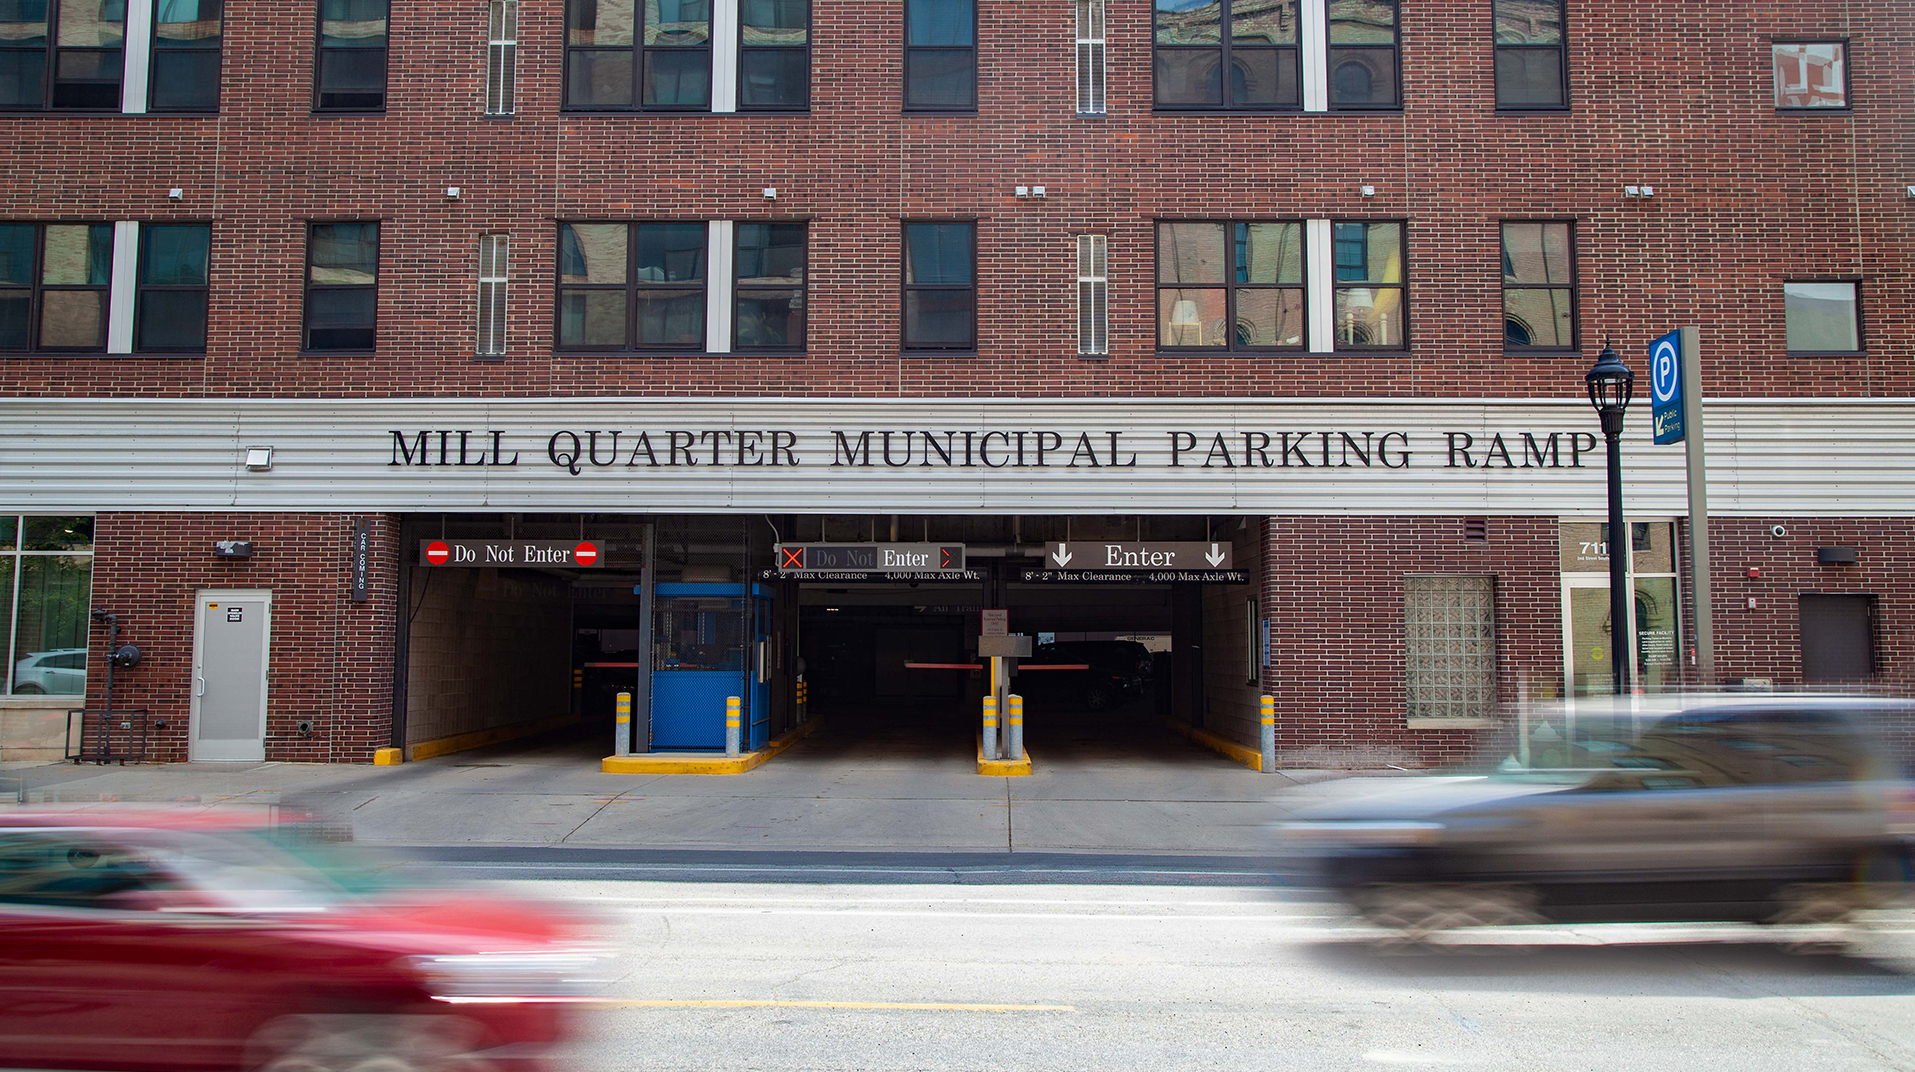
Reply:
x=487 y=650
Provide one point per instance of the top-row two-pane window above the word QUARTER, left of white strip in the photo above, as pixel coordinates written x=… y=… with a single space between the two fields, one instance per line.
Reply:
x=621 y=56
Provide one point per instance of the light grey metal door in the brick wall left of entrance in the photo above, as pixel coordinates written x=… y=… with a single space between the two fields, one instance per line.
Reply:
x=233 y=638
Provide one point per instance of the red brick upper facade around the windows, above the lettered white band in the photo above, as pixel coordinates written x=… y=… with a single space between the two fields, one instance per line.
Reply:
x=1675 y=97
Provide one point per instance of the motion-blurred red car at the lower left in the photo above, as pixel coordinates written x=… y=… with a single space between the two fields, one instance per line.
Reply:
x=171 y=943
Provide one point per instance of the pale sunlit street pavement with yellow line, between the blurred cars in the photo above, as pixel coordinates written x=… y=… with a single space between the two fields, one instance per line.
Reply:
x=1115 y=973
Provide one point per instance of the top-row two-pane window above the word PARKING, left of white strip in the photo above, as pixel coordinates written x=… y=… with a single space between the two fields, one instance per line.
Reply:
x=1255 y=41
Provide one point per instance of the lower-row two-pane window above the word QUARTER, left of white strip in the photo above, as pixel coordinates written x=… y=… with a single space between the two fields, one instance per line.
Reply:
x=633 y=286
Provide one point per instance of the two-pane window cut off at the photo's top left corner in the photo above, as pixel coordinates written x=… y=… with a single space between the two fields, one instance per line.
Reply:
x=62 y=55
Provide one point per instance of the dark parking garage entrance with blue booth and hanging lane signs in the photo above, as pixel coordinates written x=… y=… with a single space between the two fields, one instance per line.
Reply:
x=685 y=612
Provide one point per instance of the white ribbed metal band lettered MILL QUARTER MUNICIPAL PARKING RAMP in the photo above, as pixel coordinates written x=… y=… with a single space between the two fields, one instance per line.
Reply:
x=1769 y=458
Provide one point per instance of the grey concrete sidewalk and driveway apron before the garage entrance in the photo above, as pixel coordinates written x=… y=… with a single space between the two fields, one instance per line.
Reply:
x=844 y=790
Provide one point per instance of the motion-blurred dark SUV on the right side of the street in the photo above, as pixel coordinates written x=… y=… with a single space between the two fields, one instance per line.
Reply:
x=1698 y=809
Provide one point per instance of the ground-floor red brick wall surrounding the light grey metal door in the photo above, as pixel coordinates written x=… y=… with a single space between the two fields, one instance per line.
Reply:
x=330 y=661
